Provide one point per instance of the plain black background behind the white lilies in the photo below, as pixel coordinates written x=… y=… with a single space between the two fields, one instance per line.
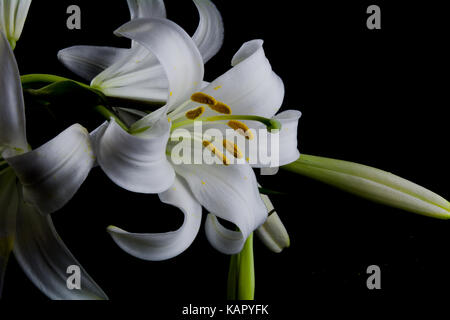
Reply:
x=377 y=97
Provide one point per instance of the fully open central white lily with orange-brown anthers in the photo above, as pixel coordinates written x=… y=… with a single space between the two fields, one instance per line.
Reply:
x=138 y=161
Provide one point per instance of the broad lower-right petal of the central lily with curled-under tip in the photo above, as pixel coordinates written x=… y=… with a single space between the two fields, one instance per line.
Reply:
x=231 y=193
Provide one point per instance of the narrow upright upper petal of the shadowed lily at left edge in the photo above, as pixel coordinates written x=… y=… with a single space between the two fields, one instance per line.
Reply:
x=12 y=112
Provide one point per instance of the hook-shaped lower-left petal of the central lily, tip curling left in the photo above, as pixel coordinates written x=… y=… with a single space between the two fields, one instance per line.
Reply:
x=163 y=246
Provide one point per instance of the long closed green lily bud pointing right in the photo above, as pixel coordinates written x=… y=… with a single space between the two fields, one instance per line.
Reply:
x=373 y=184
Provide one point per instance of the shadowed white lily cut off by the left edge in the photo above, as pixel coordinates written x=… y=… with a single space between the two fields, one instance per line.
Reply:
x=48 y=178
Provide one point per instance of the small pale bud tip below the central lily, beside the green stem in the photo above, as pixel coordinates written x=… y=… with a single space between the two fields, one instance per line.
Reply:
x=273 y=233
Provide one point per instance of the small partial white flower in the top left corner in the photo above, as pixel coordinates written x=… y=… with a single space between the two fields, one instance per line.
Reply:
x=13 y=14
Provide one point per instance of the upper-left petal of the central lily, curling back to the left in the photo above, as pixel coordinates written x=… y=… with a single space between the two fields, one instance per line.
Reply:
x=176 y=52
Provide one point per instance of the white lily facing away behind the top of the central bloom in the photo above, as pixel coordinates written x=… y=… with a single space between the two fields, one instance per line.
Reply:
x=136 y=73
